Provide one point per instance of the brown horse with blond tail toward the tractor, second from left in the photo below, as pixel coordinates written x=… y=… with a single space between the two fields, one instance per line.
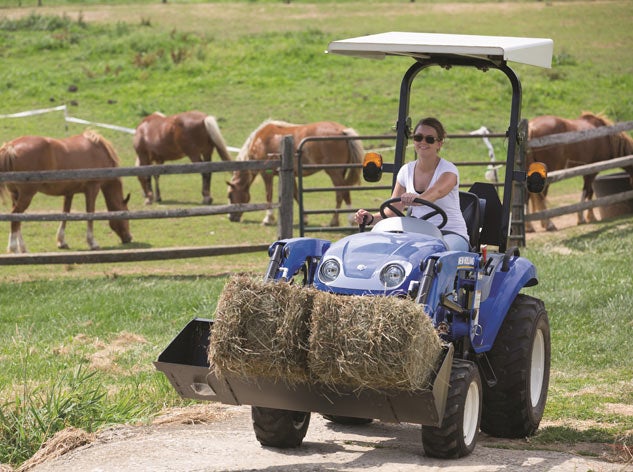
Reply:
x=161 y=138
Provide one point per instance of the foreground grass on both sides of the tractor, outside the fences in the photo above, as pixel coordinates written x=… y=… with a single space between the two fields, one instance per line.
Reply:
x=107 y=329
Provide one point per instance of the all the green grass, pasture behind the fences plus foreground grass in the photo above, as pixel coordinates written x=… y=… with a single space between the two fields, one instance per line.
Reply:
x=77 y=342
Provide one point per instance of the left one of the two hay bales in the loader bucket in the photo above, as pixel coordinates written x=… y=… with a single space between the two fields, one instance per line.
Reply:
x=261 y=329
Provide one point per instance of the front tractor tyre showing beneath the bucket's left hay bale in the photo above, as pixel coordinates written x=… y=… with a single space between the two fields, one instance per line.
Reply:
x=279 y=428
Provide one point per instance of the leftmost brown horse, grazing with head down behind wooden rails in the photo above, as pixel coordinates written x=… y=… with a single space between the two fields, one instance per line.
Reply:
x=85 y=151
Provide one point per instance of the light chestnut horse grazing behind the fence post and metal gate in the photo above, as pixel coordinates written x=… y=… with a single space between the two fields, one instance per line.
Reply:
x=266 y=140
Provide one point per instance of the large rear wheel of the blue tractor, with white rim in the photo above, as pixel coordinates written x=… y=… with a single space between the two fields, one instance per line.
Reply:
x=520 y=359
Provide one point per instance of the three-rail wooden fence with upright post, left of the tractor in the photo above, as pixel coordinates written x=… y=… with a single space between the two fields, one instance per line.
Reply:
x=284 y=165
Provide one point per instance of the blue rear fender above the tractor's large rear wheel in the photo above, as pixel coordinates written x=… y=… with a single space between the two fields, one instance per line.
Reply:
x=505 y=286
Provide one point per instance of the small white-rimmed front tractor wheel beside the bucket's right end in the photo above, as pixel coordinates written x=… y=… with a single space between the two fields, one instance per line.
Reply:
x=457 y=436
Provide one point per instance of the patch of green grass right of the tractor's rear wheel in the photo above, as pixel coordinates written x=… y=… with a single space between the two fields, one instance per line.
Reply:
x=584 y=275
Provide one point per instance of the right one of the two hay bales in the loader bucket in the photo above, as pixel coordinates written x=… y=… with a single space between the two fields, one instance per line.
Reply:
x=372 y=343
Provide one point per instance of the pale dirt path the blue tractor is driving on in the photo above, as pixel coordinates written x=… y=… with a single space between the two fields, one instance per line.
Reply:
x=228 y=444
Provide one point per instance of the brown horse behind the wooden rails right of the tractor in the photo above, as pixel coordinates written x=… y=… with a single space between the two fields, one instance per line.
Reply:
x=561 y=156
